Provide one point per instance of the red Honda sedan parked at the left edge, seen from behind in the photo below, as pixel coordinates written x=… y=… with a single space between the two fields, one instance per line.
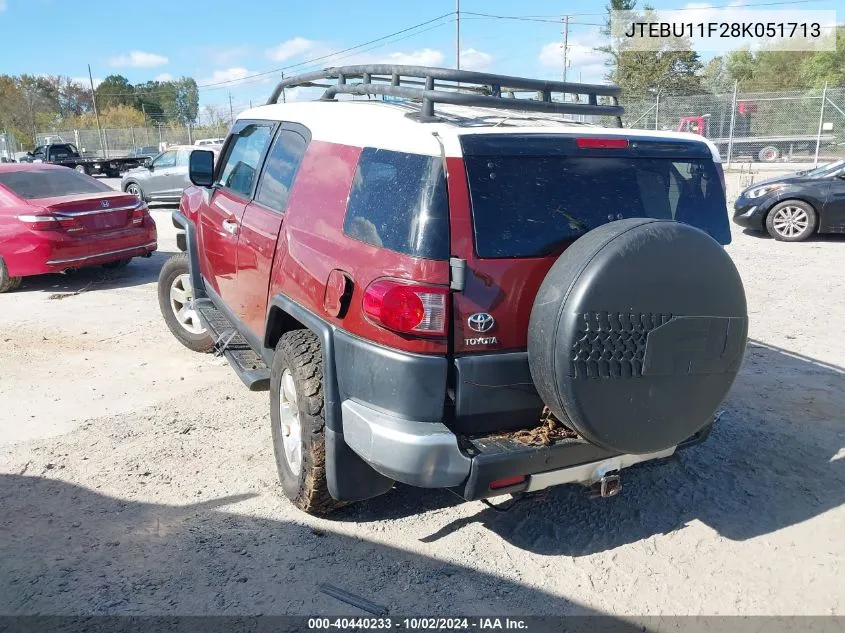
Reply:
x=53 y=218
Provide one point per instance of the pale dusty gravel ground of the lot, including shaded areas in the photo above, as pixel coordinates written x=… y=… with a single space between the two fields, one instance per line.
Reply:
x=137 y=477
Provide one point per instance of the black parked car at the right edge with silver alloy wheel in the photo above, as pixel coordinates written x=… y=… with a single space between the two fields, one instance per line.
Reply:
x=792 y=208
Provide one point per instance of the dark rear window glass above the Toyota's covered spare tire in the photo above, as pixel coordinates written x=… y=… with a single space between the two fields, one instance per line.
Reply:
x=526 y=204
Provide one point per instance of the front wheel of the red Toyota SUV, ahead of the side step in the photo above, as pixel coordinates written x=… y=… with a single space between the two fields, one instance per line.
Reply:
x=176 y=301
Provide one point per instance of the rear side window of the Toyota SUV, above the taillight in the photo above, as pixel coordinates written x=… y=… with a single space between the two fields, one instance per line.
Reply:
x=398 y=201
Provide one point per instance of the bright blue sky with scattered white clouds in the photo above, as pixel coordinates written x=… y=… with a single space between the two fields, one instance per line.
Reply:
x=220 y=43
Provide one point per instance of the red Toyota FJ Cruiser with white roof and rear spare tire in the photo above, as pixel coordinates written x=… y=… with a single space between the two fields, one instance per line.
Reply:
x=489 y=298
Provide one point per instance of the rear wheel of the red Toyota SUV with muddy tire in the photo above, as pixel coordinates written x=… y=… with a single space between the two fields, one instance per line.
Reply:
x=298 y=423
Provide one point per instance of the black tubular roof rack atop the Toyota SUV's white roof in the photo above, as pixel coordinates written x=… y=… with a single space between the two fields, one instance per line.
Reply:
x=459 y=87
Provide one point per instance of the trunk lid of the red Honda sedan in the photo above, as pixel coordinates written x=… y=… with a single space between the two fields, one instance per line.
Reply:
x=97 y=213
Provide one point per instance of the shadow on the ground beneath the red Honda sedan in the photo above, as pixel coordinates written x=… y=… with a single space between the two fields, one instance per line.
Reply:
x=139 y=272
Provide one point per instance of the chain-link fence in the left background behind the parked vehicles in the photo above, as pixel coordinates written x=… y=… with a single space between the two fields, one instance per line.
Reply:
x=112 y=143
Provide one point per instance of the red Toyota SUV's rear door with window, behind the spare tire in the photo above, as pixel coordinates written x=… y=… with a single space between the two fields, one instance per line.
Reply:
x=516 y=202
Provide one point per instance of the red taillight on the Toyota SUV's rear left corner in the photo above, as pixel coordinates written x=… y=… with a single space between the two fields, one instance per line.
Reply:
x=407 y=308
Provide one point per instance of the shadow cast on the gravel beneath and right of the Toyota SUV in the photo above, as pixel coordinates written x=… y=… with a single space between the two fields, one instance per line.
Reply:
x=775 y=459
